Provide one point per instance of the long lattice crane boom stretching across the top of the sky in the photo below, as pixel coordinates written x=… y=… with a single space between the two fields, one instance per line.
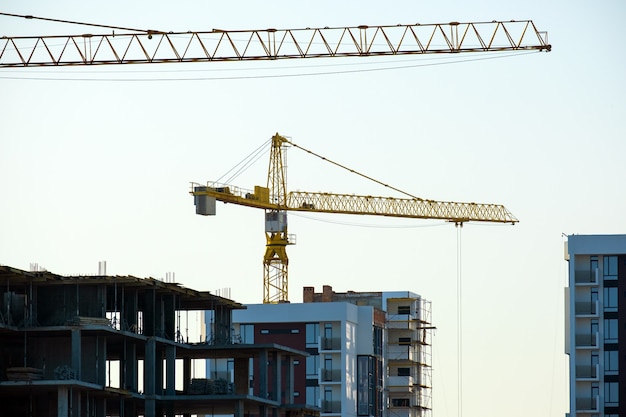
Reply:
x=270 y=44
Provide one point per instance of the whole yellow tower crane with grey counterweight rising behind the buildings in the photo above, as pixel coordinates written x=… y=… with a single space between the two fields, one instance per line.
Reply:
x=277 y=201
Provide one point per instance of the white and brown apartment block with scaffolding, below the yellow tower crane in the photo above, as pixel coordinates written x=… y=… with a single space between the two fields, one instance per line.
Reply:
x=369 y=352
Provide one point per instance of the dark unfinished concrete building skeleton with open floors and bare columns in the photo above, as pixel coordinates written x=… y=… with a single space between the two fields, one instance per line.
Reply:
x=112 y=346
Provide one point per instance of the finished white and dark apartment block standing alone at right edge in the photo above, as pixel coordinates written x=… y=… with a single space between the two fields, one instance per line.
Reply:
x=595 y=325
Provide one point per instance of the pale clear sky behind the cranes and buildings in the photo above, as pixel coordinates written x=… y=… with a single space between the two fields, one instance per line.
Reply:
x=95 y=165
